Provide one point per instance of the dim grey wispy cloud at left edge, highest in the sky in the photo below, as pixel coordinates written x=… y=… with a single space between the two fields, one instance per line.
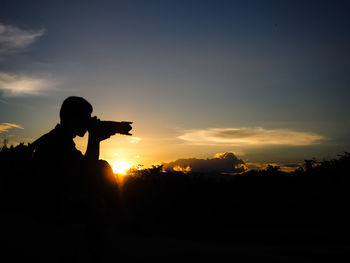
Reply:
x=14 y=39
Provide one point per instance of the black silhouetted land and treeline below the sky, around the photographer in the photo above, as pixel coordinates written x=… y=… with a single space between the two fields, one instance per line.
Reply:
x=265 y=215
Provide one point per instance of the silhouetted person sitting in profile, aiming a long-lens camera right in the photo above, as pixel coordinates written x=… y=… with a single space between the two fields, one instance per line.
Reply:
x=68 y=182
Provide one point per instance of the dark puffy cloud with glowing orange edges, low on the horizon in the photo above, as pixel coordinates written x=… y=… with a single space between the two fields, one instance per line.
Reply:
x=225 y=162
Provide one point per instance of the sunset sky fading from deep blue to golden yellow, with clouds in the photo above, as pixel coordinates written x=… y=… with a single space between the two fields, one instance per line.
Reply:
x=266 y=80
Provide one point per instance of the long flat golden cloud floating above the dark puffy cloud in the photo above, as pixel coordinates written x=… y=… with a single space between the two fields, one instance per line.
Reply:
x=250 y=136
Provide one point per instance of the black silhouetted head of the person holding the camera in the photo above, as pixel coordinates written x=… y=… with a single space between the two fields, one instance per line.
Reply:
x=75 y=115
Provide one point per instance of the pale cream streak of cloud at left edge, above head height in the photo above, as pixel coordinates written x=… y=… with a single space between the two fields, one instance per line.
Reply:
x=12 y=85
